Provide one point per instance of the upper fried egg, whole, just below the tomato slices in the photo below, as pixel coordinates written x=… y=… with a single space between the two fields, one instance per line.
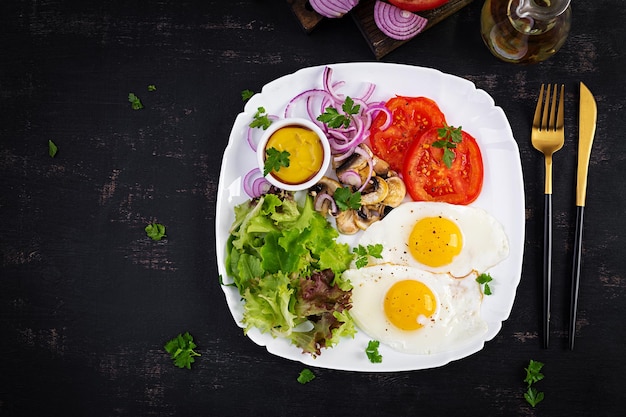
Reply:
x=439 y=237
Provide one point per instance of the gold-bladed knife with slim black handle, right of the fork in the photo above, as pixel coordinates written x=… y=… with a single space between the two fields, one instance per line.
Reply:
x=586 y=132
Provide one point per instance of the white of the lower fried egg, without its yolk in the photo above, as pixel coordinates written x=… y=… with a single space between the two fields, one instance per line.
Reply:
x=456 y=322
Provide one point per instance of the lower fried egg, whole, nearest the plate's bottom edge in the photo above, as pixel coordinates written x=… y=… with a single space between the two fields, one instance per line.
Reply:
x=415 y=311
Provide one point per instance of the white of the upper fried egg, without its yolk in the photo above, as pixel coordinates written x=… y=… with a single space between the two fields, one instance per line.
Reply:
x=485 y=243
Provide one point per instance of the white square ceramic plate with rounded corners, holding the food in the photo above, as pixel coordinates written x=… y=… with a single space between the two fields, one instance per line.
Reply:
x=502 y=194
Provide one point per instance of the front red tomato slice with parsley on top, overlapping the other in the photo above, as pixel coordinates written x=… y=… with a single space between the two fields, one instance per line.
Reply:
x=427 y=178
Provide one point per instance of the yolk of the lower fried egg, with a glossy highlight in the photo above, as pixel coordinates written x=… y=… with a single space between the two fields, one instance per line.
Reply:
x=408 y=304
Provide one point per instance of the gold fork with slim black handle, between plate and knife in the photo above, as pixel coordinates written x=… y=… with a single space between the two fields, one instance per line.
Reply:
x=548 y=136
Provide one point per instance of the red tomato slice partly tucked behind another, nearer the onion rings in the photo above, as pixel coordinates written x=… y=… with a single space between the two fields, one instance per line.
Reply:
x=411 y=117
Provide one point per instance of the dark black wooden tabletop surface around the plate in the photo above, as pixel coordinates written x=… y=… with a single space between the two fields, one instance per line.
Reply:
x=87 y=301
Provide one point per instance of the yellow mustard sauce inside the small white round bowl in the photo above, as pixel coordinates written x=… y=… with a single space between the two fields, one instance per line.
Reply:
x=306 y=154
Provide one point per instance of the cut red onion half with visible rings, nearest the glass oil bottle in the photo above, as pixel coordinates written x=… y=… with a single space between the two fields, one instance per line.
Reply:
x=397 y=23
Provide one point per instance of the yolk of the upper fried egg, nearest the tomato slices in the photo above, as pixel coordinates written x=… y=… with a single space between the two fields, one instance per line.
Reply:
x=435 y=241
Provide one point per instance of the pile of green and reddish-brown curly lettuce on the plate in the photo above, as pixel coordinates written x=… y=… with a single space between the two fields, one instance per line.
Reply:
x=287 y=265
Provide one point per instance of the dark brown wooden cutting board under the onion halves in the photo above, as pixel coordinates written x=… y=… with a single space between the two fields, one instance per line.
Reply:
x=363 y=15
